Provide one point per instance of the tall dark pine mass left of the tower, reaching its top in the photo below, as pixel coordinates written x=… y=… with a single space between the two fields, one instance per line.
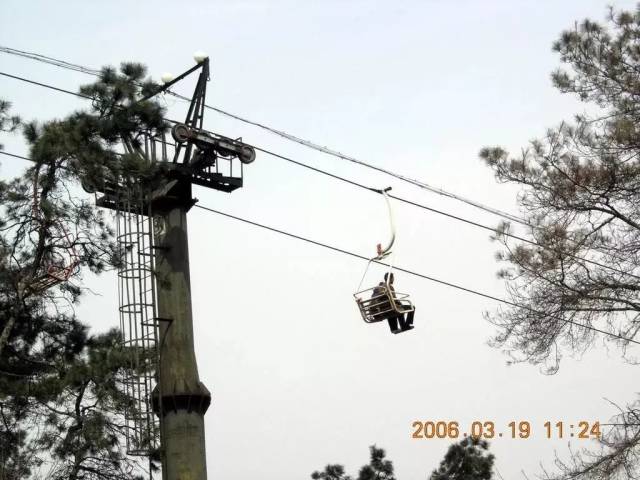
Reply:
x=49 y=364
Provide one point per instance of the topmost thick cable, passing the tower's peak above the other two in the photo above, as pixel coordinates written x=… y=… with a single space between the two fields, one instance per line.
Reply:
x=328 y=151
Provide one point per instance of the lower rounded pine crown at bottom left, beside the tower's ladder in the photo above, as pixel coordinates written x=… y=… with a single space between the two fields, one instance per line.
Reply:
x=83 y=405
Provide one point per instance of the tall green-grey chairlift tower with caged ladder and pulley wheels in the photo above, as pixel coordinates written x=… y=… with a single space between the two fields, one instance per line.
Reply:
x=154 y=282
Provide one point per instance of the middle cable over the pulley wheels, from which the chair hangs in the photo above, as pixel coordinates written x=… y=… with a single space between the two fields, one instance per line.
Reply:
x=360 y=185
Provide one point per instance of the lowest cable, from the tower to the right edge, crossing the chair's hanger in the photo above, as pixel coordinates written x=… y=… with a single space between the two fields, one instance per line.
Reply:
x=417 y=274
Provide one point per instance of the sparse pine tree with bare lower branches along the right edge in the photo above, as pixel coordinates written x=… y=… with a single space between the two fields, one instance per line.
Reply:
x=580 y=192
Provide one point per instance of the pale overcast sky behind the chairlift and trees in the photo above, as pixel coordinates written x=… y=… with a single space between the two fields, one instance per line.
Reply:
x=418 y=87
